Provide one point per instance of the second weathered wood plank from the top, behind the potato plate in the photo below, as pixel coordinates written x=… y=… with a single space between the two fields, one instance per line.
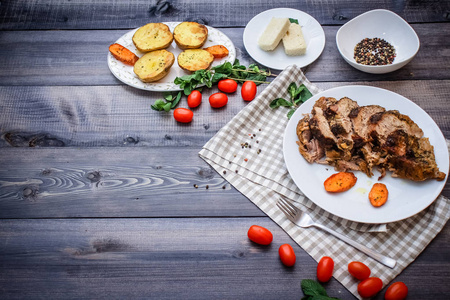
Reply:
x=79 y=57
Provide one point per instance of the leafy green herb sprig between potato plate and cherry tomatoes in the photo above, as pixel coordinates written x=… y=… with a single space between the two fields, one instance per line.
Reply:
x=235 y=71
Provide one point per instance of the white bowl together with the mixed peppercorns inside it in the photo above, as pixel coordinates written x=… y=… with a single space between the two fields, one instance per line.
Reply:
x=378 y=41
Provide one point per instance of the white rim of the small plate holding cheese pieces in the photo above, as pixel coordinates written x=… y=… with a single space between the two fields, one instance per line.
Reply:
x=299 y=64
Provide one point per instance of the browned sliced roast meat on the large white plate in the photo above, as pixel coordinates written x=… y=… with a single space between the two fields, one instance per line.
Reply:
x=353 y=138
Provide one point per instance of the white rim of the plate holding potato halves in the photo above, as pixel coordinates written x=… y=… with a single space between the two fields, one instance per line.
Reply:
x=151 y=86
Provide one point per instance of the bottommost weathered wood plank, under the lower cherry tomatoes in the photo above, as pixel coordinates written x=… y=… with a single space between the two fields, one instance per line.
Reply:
x=156 y=258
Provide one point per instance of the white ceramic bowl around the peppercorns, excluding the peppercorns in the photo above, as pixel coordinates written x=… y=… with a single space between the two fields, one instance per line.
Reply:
x=383 y=24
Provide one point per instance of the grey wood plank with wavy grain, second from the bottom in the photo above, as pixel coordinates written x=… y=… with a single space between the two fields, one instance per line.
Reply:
x=114 y=182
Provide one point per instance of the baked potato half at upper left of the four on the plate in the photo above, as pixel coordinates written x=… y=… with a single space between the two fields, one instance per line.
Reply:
x=152 y=36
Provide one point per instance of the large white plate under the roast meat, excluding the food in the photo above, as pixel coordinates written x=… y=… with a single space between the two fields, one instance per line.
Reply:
x=406 y=197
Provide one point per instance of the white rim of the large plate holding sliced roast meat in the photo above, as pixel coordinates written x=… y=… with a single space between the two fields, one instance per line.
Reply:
x=440 y=138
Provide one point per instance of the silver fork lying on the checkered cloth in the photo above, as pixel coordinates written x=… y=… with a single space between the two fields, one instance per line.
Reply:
x=302 y=219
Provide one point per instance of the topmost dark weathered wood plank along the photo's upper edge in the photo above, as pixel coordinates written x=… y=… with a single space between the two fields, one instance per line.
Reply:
x=118 y=14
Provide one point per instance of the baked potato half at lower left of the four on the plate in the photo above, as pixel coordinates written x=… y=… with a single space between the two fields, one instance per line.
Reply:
x=154 y=65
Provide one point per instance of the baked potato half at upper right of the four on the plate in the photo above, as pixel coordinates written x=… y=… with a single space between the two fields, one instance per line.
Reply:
x=190 y=35
